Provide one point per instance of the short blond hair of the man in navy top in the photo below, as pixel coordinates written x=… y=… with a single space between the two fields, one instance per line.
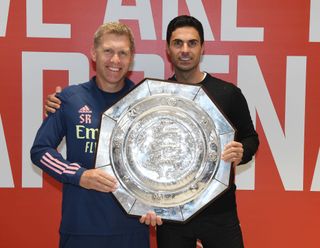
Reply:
x=114 y=28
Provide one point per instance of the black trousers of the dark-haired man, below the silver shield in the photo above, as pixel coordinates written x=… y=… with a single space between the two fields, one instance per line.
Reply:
x=214 y=231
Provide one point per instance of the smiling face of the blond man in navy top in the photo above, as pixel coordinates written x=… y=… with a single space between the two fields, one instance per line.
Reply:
x=113 y=58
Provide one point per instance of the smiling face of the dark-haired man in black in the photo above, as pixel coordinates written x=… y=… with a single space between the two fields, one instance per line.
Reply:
x=185 y=49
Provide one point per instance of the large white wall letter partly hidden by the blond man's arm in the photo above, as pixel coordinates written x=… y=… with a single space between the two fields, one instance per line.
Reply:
x=33 y=65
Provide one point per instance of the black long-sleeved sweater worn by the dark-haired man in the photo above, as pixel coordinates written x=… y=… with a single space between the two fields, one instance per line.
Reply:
x=230 y=100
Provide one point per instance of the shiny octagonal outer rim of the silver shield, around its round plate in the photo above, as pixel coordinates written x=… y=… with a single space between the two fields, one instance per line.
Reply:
x=221 y=178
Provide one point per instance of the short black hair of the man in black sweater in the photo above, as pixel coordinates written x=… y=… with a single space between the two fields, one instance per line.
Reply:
x=184 y=21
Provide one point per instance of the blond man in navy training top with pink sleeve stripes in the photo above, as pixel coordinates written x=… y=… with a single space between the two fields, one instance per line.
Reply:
x=91 y=217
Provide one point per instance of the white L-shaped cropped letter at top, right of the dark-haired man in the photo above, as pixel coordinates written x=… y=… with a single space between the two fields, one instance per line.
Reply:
x=229 y=29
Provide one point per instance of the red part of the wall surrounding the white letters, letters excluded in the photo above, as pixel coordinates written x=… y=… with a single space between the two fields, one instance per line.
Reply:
x=270 y=215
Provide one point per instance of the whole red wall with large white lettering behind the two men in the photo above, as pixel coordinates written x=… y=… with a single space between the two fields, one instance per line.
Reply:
x=271 y=50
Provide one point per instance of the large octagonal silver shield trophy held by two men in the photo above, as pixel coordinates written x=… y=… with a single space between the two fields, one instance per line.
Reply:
x=163 y=143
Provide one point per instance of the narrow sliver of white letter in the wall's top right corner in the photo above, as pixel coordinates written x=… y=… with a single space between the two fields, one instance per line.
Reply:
x=314 y=27
